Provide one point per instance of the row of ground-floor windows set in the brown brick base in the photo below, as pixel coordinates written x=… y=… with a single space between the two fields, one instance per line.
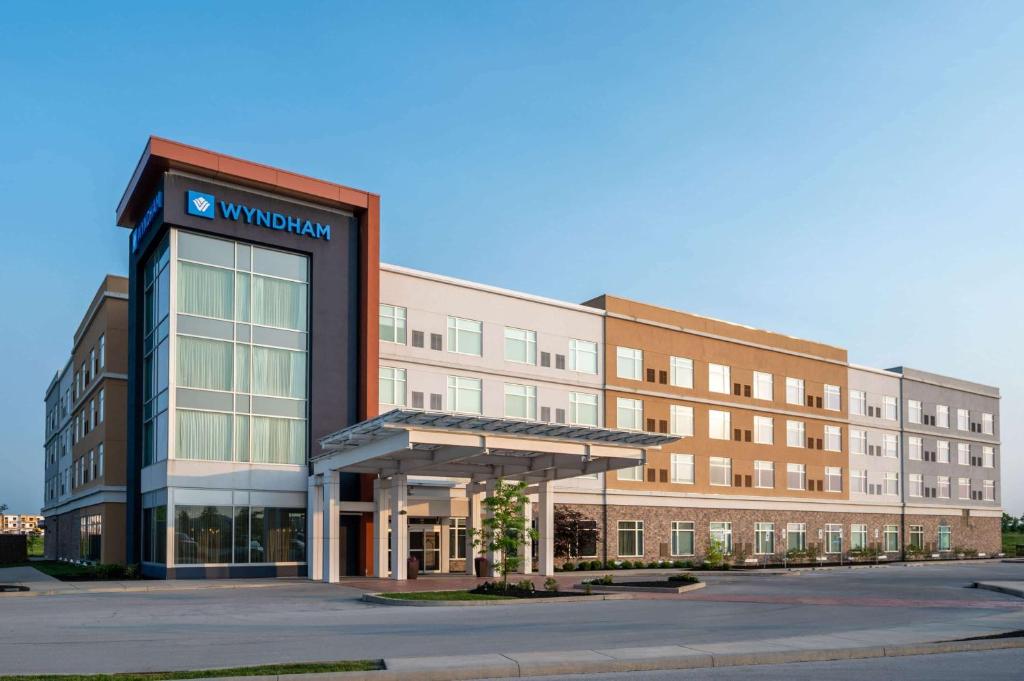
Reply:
x=792 y=537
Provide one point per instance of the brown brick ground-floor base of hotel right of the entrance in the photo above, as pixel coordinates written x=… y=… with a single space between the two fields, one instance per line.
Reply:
x=977 y=534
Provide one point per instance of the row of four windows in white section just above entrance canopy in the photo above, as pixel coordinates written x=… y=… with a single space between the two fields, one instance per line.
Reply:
x=465 y=396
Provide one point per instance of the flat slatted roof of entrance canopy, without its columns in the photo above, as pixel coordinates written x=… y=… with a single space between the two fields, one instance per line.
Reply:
x=481 y=449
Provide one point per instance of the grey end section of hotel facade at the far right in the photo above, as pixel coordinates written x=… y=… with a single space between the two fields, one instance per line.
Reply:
x=951 y=437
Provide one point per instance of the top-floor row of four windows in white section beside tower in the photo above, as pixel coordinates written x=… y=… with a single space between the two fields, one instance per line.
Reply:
x=466 y=337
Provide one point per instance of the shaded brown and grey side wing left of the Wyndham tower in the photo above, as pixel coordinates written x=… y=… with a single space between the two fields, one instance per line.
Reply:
x=84 y=492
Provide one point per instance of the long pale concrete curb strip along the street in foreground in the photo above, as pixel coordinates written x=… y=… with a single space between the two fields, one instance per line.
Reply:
x=626 y=660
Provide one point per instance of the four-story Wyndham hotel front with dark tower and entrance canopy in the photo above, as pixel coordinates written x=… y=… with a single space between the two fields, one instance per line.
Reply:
x=265 y=337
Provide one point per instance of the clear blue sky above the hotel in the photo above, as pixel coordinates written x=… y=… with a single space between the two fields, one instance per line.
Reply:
x=845 y=173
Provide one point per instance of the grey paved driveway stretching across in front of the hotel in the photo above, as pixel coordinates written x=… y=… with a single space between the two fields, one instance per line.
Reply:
x=313 y=622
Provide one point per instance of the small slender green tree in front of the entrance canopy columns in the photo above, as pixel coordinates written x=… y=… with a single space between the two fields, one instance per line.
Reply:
x=506 y=528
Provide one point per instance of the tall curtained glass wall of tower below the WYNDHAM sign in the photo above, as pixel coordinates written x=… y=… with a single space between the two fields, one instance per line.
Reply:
x=241 y=353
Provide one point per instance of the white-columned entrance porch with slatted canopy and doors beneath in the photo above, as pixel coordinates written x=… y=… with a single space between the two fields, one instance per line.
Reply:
x=434 y=467
